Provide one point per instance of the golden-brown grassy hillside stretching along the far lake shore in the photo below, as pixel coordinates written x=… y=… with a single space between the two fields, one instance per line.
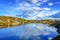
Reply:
x=7 y=21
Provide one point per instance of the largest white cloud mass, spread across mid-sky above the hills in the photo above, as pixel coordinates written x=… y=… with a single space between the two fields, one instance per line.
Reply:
x=35 y=11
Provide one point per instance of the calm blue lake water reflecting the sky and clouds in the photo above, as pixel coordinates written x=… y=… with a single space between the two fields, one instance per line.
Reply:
x=29 y=32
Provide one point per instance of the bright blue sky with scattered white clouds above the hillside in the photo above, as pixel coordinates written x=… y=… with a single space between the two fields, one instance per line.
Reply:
x=30 y=9
